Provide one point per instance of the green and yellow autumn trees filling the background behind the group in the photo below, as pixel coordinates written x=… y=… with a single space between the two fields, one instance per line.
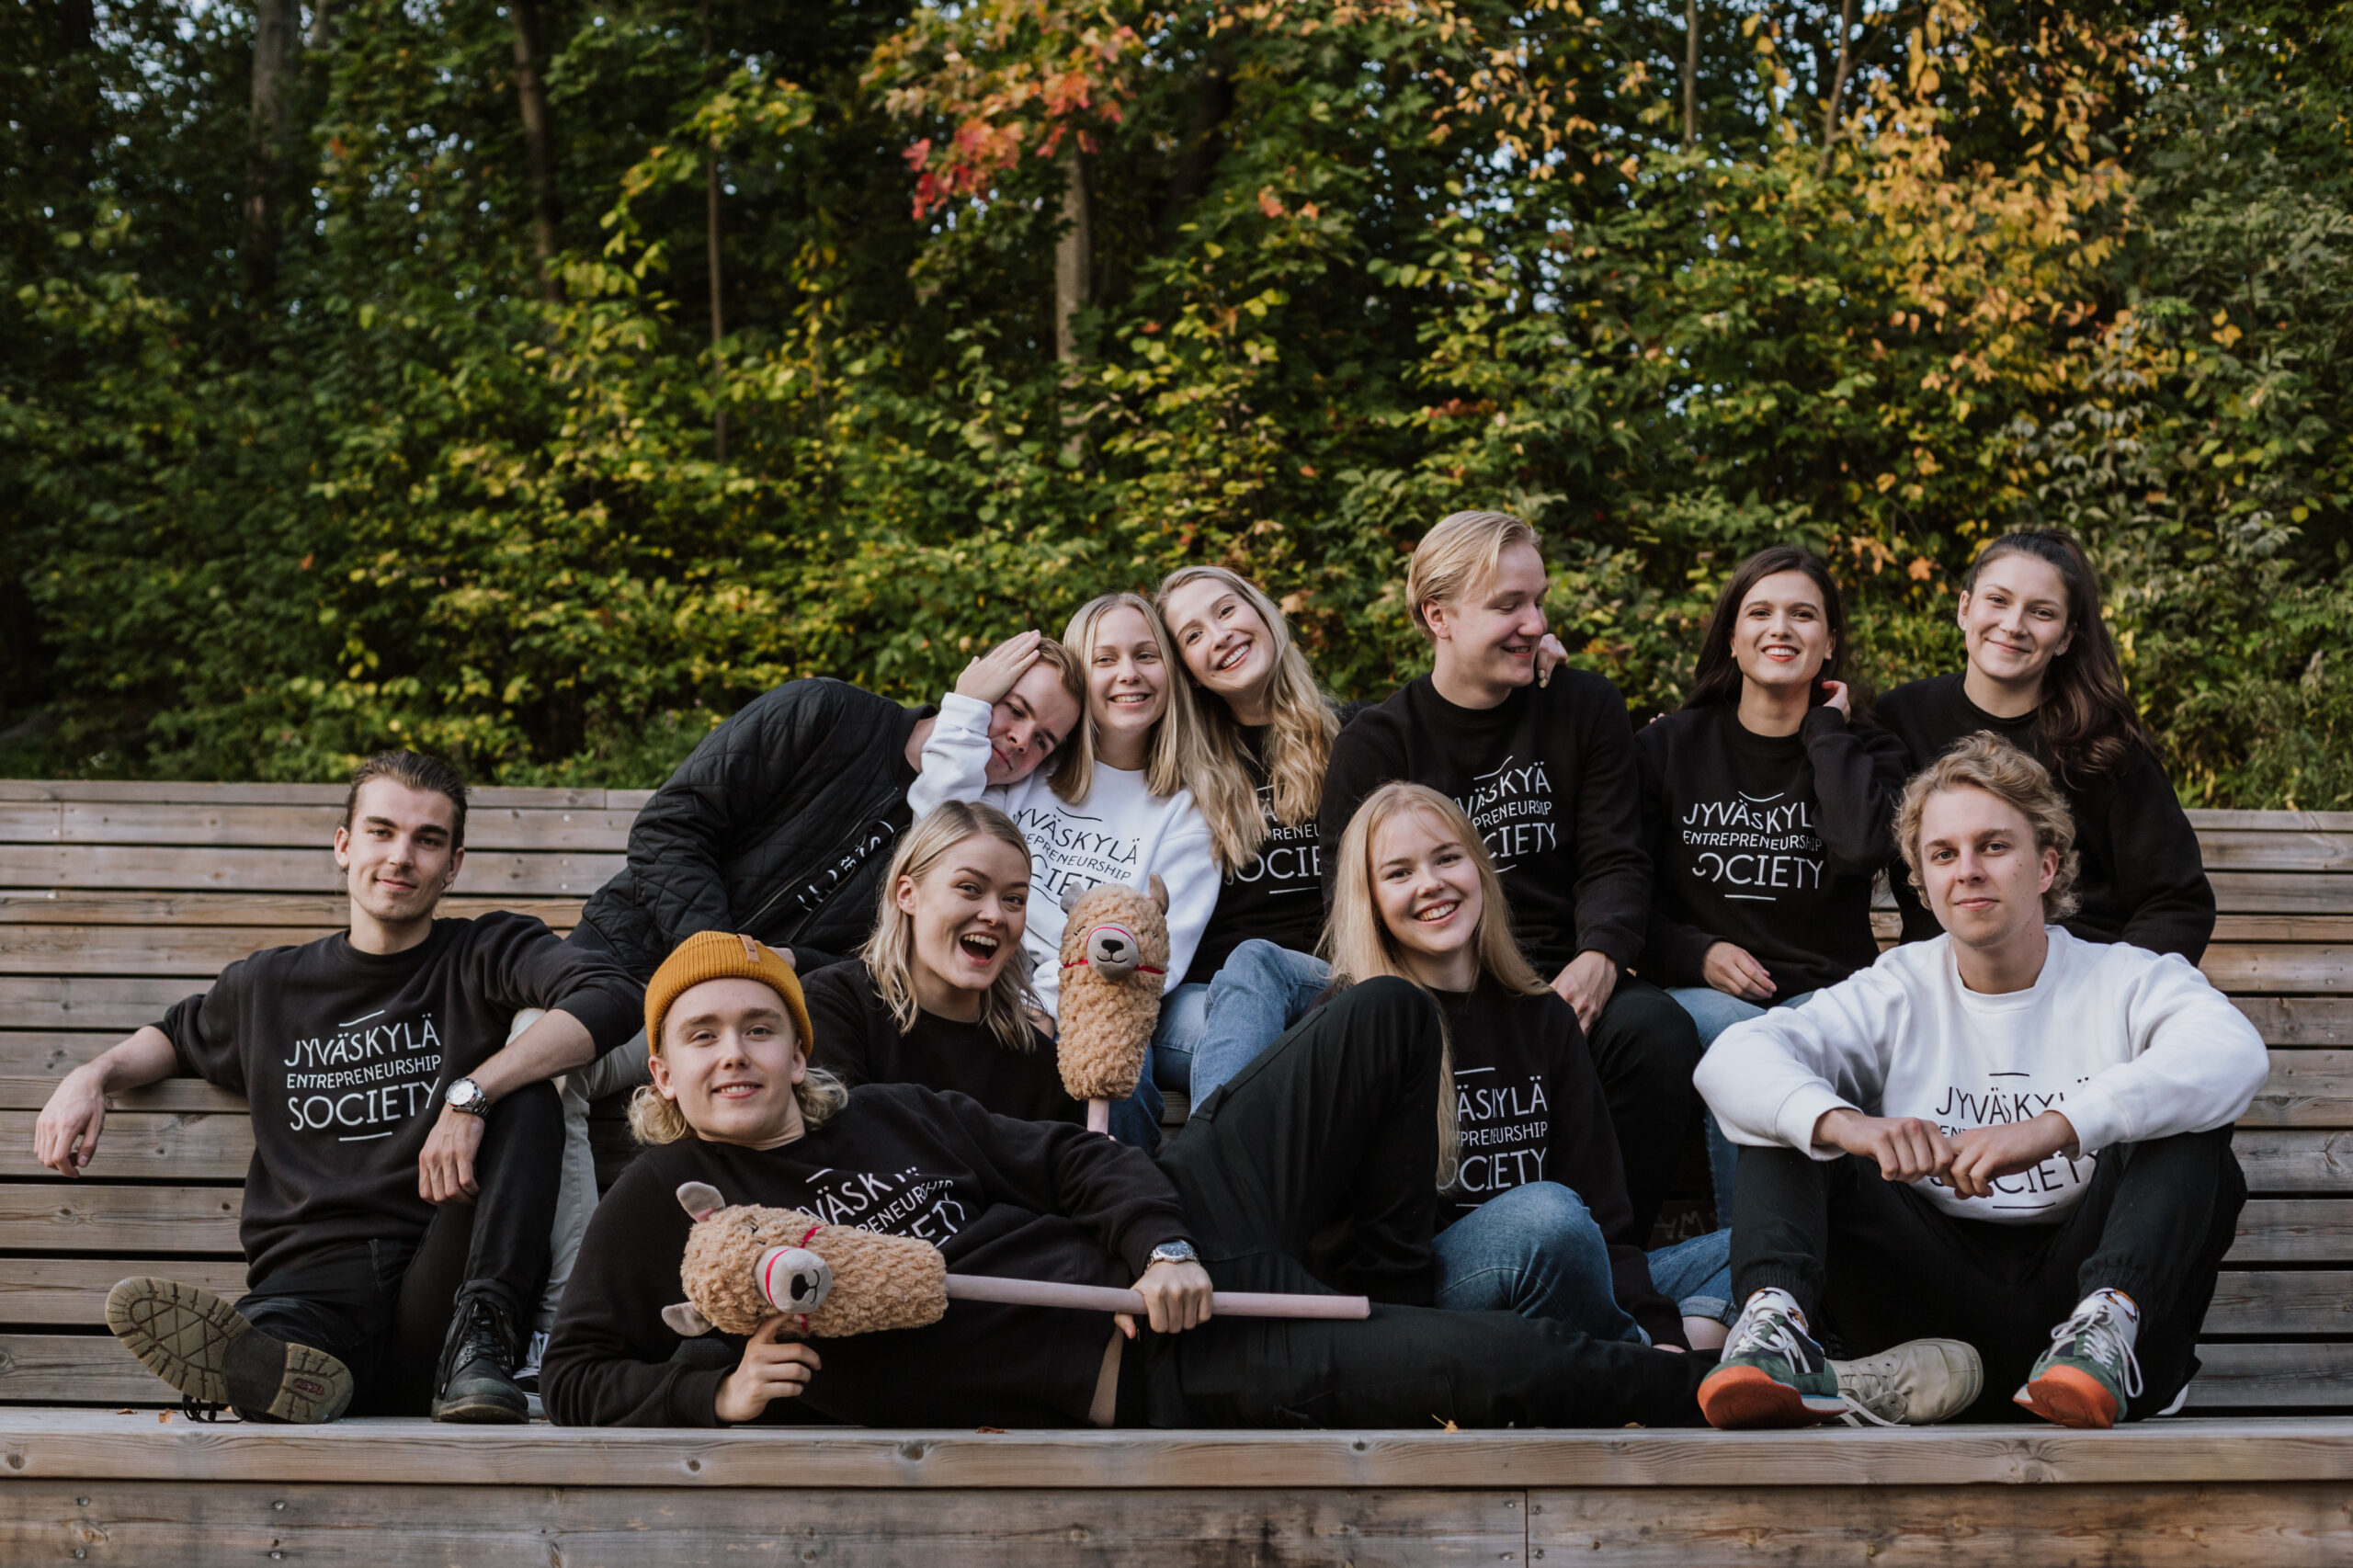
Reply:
x=844 y=338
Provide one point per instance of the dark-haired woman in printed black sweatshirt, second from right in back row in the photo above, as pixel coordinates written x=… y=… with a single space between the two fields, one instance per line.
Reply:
x=1766 y=804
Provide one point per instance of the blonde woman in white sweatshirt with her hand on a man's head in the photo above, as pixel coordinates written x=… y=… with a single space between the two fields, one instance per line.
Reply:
x=1114 y=809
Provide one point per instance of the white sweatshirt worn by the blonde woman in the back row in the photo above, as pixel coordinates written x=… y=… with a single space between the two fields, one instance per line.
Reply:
x=1119 y=835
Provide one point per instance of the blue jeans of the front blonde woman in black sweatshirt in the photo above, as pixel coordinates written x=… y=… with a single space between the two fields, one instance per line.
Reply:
x=1540 y=1254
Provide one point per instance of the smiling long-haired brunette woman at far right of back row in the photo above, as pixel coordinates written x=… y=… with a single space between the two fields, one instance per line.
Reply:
x=2044 y=677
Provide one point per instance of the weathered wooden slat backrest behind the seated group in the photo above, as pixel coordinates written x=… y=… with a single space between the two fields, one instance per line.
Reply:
x=116 y=901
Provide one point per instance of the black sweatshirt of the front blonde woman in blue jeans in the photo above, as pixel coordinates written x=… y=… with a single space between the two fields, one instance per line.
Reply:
x=1531 y=1110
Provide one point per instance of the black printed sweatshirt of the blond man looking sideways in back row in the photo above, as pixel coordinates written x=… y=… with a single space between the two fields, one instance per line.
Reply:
x=1549 y=783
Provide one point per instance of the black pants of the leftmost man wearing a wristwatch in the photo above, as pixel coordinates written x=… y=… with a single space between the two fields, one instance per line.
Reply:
x=385 y=1308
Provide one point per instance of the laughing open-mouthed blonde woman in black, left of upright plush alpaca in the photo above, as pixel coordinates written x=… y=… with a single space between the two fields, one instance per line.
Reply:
x=940 y=992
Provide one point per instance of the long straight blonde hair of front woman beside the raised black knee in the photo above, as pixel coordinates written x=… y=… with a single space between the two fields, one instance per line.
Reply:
x=1359 y=945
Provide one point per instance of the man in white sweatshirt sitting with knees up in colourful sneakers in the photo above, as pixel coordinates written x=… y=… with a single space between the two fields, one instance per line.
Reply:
x=2008 y=1136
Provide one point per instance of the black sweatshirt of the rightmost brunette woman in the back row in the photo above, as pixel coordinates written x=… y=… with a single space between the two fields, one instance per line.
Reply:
x=2142 y=875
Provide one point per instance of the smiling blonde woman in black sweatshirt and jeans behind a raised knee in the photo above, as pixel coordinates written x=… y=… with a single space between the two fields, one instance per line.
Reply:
x=1533 y=1211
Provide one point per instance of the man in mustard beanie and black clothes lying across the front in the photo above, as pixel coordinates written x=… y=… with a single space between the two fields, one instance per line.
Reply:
x=1331 y=1124
